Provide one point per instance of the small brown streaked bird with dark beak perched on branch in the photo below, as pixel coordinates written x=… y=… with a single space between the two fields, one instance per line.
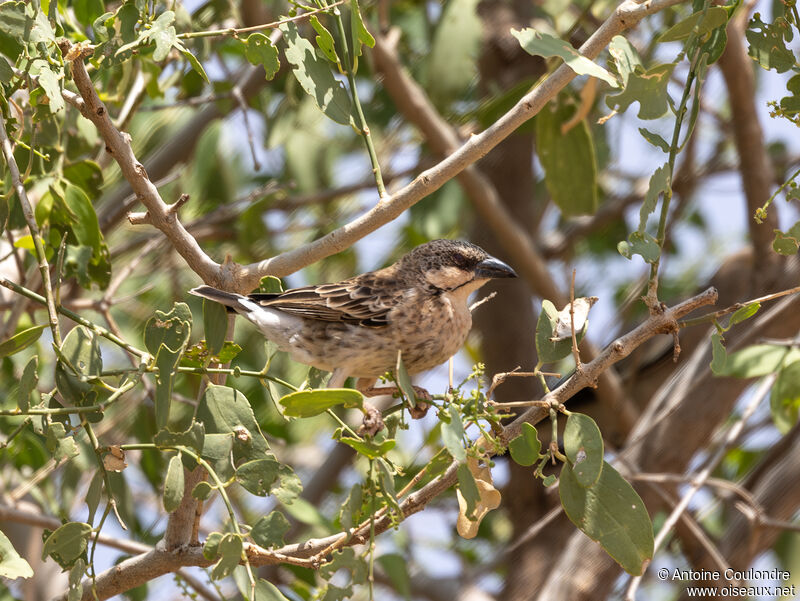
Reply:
x=355 y=327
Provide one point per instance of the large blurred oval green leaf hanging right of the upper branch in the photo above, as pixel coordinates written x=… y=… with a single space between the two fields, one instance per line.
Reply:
x=568 y=159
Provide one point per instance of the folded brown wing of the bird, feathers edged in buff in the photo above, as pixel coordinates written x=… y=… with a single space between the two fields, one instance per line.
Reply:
x=358 y=300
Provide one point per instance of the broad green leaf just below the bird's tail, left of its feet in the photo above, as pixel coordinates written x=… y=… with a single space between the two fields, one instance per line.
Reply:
x=224 y=410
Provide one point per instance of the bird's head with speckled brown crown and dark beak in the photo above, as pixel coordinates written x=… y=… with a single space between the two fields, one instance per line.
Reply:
x=453 y=264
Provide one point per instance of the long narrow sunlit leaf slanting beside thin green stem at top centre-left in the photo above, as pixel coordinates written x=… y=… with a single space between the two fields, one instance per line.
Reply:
x=315 y=76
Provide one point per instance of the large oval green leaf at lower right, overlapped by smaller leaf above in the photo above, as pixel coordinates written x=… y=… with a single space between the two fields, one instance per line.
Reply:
x=612 y=514
